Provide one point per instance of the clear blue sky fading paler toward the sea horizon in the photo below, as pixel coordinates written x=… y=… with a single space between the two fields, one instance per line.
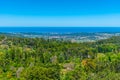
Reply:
x=61 y=13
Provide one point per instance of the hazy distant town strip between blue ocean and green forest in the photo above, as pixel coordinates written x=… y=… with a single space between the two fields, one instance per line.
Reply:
x=73 y=37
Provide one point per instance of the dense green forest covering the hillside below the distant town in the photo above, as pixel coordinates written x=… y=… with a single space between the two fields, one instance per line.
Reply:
x=41 y=59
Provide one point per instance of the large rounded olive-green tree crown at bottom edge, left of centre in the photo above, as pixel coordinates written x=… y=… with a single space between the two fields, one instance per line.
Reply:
x=40 y=73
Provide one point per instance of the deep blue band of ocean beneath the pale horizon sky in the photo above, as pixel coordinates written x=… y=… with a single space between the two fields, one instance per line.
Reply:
x=59 y=29
